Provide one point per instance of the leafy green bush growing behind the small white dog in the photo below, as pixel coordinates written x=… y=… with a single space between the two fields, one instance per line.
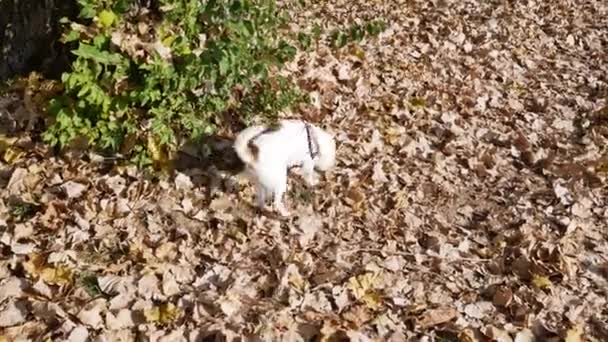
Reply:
x=145 y=78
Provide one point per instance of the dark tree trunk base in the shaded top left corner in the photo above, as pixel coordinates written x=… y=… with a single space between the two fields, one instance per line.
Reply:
x=29 y=32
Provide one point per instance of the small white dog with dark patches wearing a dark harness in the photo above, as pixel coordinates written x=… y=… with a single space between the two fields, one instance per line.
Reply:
x=268 y=153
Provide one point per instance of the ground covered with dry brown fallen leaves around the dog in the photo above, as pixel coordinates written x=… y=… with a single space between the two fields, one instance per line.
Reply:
x=469 y=201
